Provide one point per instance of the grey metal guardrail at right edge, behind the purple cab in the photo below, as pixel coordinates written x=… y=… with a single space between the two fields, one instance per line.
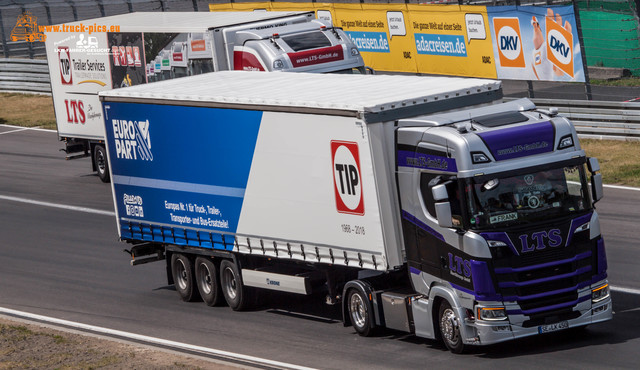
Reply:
x=599 y=119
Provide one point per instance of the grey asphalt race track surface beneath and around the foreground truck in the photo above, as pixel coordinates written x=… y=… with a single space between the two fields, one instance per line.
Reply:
x=69 y=264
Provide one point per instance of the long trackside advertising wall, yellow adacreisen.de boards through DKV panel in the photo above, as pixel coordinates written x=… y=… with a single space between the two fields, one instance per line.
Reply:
x=506 y=42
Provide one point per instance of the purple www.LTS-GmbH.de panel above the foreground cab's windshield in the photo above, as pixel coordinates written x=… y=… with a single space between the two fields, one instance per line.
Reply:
x=521 y=141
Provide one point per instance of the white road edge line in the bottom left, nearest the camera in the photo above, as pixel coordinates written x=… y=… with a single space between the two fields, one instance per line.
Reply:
x=151 y=340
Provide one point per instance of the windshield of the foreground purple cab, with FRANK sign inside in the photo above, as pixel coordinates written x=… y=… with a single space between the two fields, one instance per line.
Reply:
x=508 y=199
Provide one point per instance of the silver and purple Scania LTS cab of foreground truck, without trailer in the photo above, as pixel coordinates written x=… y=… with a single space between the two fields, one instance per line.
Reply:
x=498 y=216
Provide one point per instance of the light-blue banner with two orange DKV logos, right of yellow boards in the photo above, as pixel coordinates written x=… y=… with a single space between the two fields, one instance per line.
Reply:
x=536 y=43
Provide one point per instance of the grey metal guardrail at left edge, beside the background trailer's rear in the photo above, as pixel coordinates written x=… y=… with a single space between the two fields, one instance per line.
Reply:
x=24 y=75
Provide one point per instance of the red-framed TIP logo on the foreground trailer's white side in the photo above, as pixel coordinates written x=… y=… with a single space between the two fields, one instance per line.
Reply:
x=347 y=177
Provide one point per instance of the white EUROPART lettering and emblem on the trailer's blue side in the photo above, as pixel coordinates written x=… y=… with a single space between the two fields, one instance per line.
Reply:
x=132 y=139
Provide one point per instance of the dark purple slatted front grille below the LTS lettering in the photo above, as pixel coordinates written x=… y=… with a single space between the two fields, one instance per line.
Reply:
x=546 y=282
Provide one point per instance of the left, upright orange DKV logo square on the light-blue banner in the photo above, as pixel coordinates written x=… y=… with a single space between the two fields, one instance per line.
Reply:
x=509 y=41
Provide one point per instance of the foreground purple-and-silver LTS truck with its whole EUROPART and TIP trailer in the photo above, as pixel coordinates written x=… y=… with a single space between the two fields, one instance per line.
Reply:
x=420 y=204
